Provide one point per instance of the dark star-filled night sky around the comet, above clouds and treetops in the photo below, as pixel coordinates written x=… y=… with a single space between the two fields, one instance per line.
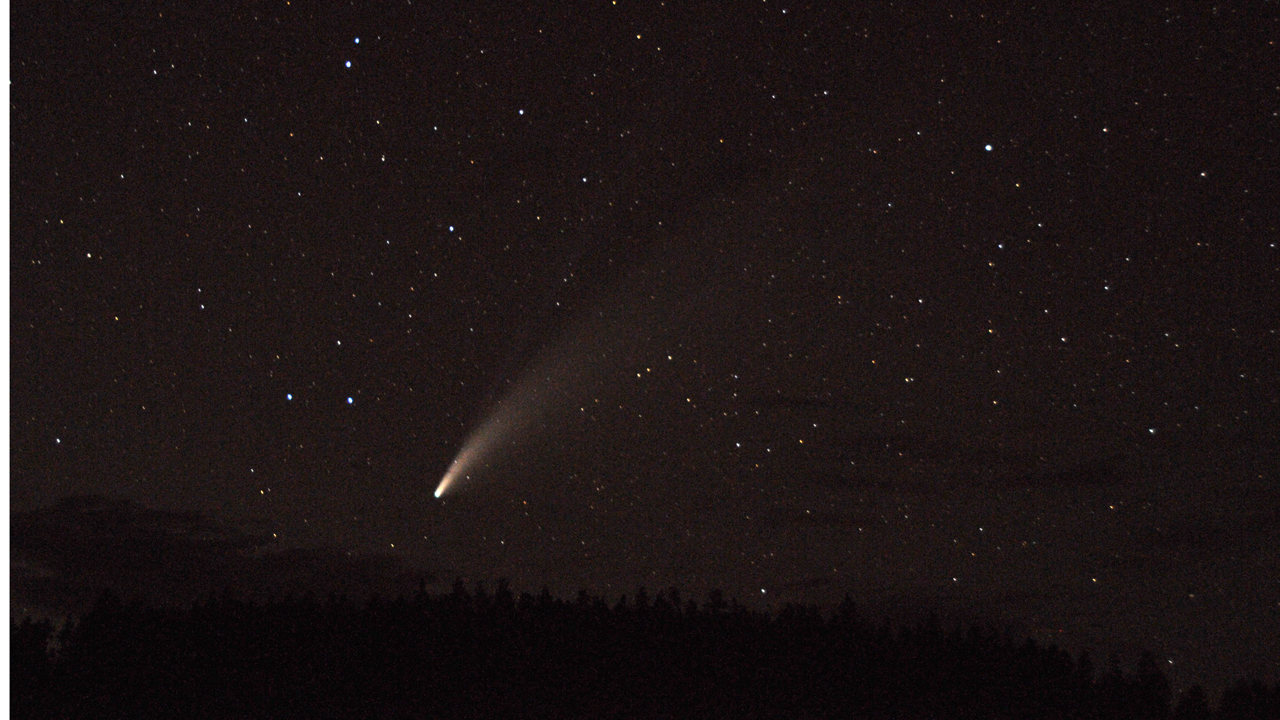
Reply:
x=972 y=312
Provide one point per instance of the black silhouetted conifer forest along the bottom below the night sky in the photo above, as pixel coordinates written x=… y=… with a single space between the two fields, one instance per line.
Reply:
x=496 y=655
